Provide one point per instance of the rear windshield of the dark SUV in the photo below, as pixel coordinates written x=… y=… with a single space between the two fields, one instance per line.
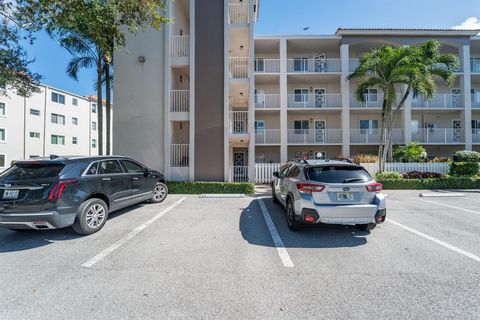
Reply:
x=32 y=171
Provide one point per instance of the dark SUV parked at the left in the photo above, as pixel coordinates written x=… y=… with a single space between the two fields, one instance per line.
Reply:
x=60 y=192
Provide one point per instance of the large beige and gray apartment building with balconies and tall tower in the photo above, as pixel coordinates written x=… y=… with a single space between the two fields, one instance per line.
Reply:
x=205 y=99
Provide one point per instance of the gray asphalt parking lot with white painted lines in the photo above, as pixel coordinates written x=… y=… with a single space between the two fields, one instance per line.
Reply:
x=216 y=258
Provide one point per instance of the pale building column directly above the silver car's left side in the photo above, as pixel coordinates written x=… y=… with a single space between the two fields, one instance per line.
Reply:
x=283 y=102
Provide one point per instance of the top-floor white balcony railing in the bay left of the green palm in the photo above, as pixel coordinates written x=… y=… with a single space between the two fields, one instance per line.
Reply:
x=314 y=65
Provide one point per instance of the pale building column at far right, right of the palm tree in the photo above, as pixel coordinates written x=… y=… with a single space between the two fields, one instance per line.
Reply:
x=466 y=87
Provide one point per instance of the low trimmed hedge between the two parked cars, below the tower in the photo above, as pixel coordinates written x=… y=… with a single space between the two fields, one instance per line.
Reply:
x=199 y=187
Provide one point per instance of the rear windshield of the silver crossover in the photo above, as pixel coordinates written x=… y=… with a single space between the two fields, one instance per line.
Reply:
x=338 y=174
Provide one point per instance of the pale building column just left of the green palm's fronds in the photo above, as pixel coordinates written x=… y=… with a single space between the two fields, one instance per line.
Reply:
x=345 y=88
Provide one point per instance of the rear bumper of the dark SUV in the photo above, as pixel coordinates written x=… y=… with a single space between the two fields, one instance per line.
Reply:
x=37 y=220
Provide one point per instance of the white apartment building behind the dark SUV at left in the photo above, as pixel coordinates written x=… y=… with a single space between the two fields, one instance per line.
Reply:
x=49 y=122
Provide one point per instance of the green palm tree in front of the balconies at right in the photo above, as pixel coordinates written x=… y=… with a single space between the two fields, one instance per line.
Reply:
x=401 y=70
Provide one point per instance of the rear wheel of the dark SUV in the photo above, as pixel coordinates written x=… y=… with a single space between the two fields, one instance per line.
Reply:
x=91 y=216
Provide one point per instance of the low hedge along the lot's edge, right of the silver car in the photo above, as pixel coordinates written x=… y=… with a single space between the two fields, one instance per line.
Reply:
x=442 y=183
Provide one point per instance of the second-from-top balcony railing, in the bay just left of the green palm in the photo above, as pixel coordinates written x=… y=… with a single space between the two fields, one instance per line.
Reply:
x=314 y=101
